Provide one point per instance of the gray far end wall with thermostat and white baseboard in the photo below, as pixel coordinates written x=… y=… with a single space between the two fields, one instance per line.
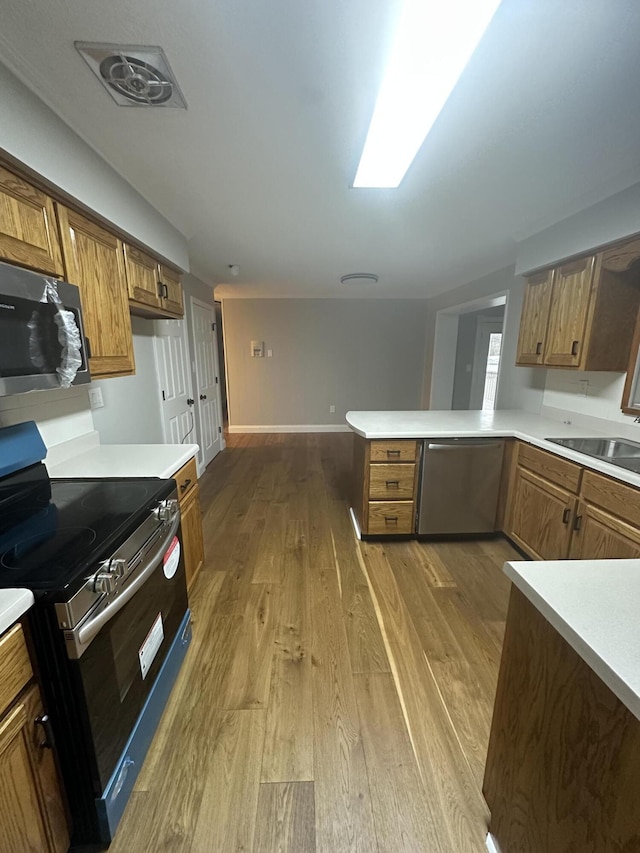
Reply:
x=355 y=354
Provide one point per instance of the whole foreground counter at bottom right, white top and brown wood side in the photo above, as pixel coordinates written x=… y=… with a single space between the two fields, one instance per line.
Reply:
x=562 y=770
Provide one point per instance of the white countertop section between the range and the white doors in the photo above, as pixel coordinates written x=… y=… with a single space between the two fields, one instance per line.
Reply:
x=125 y=460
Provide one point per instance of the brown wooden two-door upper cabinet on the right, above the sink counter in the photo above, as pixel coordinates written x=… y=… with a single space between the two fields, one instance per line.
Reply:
x=581 y=314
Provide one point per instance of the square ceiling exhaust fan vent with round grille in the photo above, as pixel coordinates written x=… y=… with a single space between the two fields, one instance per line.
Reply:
x=134 y=75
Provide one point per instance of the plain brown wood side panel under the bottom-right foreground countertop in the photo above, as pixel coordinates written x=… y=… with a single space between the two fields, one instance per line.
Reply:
x=562 y=770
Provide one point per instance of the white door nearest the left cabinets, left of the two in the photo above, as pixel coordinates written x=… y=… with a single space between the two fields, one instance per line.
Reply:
x=172 y=360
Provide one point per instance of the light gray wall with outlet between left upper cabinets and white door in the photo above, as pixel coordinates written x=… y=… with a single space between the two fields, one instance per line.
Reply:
x=131 y=412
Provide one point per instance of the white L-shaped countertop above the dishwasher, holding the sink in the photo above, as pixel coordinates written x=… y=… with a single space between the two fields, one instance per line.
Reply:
x=477 y=424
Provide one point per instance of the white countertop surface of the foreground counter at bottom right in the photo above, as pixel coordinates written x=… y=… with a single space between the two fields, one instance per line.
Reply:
x=593 y=604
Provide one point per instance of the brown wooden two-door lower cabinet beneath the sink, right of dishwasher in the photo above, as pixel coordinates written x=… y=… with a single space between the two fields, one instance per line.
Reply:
x=558 y=510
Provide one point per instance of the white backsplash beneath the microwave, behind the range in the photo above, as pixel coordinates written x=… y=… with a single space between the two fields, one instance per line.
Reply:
x=61 y=414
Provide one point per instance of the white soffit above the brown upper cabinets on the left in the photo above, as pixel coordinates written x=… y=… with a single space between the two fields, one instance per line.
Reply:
x=34 y=135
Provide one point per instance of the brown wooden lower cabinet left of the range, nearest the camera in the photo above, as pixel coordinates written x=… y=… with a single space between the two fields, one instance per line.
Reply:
x=32 y=814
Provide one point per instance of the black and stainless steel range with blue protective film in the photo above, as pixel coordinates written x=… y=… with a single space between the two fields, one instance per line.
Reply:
x=111 y=623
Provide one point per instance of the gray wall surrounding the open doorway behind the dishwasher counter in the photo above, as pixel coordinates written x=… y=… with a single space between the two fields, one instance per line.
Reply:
x=519 y=387
